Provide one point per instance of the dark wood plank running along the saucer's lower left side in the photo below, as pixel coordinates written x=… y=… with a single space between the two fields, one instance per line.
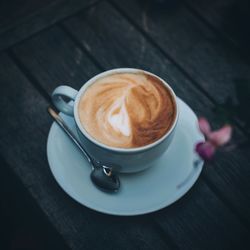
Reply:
x=24 y=130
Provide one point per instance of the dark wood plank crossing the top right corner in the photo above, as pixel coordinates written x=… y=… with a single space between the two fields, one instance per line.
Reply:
x=230 y=18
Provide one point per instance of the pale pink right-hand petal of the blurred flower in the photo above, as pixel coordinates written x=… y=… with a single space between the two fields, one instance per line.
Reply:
x=221 y=136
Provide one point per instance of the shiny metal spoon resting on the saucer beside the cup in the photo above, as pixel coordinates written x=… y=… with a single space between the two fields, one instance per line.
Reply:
x=101 y=175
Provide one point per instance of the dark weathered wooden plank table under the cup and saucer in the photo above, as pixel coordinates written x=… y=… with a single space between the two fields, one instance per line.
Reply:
x=192 y=45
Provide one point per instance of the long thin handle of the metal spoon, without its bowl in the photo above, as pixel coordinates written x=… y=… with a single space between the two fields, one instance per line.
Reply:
x=68 y=131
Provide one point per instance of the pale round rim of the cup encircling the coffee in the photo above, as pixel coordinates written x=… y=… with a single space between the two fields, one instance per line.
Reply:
x=117 y=149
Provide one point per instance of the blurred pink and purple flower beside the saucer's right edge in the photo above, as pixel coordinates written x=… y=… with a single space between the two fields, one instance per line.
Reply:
x=214 y=139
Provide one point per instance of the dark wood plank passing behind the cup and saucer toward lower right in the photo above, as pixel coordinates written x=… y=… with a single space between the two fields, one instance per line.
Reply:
x=230 y=173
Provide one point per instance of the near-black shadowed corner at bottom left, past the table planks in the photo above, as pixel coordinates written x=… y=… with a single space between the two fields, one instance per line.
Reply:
x=23 y=224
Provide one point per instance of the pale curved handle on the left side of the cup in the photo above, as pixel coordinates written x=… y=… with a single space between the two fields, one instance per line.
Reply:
x=57 y=99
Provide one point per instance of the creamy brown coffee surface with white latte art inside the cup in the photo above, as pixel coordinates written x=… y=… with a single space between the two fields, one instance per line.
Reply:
x=127 y=110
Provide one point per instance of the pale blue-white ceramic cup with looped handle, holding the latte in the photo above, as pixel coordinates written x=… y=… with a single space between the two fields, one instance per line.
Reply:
x=125 y=160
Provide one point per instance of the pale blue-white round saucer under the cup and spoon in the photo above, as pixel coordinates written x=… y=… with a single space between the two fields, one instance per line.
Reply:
x=140 y=193
